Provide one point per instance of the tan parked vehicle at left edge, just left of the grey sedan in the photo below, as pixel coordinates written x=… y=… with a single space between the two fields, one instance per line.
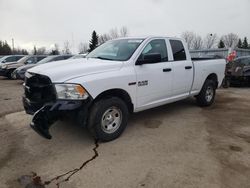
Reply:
x=8 y=68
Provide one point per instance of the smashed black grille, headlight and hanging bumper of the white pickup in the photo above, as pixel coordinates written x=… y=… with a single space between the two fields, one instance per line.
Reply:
x=48 y=102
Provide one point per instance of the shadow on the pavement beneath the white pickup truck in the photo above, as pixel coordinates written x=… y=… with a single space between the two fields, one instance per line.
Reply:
x=151 y=118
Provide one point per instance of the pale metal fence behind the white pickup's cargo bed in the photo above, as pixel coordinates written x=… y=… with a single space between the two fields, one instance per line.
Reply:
x=224 y=52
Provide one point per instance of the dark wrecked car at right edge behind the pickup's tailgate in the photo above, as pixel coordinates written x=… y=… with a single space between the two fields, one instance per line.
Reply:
x=238 y=71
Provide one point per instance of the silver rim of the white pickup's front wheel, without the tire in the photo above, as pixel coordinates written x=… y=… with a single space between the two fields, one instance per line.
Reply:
x=111 y=120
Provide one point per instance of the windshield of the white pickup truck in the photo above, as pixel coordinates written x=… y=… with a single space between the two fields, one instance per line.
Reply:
x=116 y=50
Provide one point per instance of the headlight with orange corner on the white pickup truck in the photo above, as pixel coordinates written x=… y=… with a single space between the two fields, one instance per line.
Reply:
x=71 y=91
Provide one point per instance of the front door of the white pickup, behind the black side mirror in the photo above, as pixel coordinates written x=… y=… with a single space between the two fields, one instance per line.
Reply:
x=154 y=80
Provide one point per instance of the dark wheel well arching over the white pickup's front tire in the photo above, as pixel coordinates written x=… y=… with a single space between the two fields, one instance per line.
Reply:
x=120 y=93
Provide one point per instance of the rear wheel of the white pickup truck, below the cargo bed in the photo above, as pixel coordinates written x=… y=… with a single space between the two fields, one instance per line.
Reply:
x=204 y=99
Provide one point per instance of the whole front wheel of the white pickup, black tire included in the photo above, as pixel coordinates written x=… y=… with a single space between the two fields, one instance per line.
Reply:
x=98 y=114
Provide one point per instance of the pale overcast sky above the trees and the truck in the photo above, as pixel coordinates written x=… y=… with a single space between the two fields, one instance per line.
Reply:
x=46 y=22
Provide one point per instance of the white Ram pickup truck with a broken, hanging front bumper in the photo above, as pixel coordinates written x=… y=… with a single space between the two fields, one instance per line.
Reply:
x=120 y=77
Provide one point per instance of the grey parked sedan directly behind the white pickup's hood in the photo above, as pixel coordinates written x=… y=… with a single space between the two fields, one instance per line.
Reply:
x=20 y=72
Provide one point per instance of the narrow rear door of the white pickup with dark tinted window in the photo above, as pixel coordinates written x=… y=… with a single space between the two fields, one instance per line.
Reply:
x=182 y=69
